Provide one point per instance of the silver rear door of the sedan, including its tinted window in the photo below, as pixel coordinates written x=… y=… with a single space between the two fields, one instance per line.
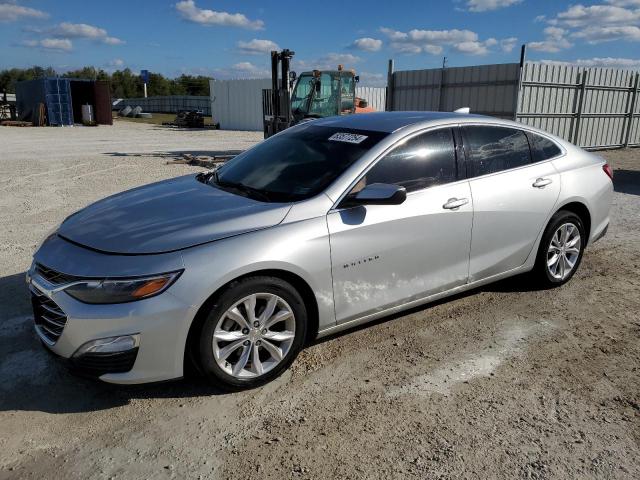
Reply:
x=512 y=197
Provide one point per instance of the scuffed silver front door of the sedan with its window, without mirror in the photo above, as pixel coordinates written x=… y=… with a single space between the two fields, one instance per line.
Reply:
x=386 y=255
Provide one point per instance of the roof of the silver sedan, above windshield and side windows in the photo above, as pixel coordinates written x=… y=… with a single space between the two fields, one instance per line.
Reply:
x=391 y=121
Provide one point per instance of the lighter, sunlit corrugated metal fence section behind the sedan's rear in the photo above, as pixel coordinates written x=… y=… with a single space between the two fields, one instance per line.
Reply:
x=591 y=107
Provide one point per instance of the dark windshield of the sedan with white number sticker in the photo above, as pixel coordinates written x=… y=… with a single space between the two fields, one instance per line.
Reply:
x=295 y=164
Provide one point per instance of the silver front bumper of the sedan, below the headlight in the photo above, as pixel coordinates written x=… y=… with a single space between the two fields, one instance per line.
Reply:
x=158 y=322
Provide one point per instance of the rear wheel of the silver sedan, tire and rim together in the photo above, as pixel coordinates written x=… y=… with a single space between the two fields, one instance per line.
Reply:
x=550 y=274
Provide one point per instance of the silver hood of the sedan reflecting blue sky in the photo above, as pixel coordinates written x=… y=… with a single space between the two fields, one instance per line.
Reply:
x=167 y=216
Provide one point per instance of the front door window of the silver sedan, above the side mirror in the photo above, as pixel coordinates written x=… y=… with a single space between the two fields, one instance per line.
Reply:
x=420 y=162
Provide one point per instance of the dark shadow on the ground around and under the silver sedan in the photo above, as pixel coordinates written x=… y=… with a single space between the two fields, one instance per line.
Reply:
x=33 y=379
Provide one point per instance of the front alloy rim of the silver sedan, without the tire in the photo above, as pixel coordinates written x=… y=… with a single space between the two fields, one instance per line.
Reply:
x=254 y=335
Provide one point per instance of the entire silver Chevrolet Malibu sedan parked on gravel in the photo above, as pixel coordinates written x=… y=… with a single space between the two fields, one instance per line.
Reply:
x=327 y=225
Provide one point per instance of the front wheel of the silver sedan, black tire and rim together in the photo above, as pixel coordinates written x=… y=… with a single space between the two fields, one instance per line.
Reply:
x=230 y=336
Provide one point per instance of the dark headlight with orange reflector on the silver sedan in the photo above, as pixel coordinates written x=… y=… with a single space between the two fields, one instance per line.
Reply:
x=121 y=290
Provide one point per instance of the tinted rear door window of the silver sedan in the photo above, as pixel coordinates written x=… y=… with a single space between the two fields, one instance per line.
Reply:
x=493 y=149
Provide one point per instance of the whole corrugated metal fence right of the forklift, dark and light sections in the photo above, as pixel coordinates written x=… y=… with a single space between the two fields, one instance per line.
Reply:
x=591 y=107
